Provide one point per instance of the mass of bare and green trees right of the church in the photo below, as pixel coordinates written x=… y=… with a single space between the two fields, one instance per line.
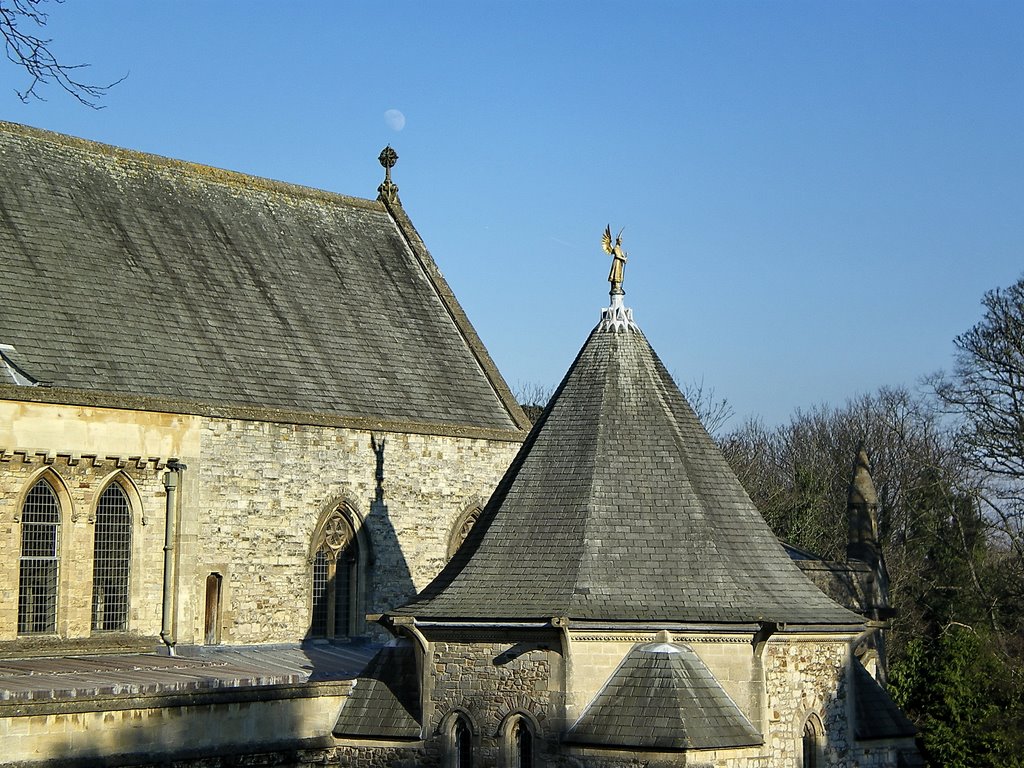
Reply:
x=949 y=466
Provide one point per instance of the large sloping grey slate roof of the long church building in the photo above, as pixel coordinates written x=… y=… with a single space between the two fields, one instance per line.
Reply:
x=132 y=274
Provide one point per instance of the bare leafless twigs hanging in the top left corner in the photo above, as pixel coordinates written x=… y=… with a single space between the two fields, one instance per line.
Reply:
x=21 y=22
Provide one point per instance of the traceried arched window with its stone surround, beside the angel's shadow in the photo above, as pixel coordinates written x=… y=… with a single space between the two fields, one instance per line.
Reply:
x=339 y=572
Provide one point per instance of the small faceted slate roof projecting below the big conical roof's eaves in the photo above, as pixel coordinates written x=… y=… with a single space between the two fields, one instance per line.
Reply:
x=662 y=697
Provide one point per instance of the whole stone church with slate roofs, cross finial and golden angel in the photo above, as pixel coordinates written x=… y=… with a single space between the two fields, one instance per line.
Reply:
x=266 y=500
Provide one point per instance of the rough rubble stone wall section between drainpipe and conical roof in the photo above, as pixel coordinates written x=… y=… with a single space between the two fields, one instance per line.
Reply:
x=262 y=489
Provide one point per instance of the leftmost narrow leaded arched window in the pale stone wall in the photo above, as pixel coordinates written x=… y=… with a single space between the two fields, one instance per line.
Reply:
x=37 y=593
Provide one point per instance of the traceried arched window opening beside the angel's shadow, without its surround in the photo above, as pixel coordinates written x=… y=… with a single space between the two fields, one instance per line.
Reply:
x=335 y=578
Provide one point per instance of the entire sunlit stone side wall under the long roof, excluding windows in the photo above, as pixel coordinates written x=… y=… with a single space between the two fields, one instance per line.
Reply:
x=251 y=499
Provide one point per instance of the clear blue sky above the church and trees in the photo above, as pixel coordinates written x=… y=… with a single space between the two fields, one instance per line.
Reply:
x=815 y=195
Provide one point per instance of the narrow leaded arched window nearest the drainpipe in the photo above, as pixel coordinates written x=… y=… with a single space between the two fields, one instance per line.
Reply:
x=111 y=562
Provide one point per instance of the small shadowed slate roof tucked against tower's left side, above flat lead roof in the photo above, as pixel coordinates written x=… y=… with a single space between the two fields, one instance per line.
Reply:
x=386 y=700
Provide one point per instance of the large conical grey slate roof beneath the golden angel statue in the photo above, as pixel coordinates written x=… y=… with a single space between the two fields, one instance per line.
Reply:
x=620 y=507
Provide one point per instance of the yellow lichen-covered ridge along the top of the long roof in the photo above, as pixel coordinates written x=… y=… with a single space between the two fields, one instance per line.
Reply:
x=212 y=175
